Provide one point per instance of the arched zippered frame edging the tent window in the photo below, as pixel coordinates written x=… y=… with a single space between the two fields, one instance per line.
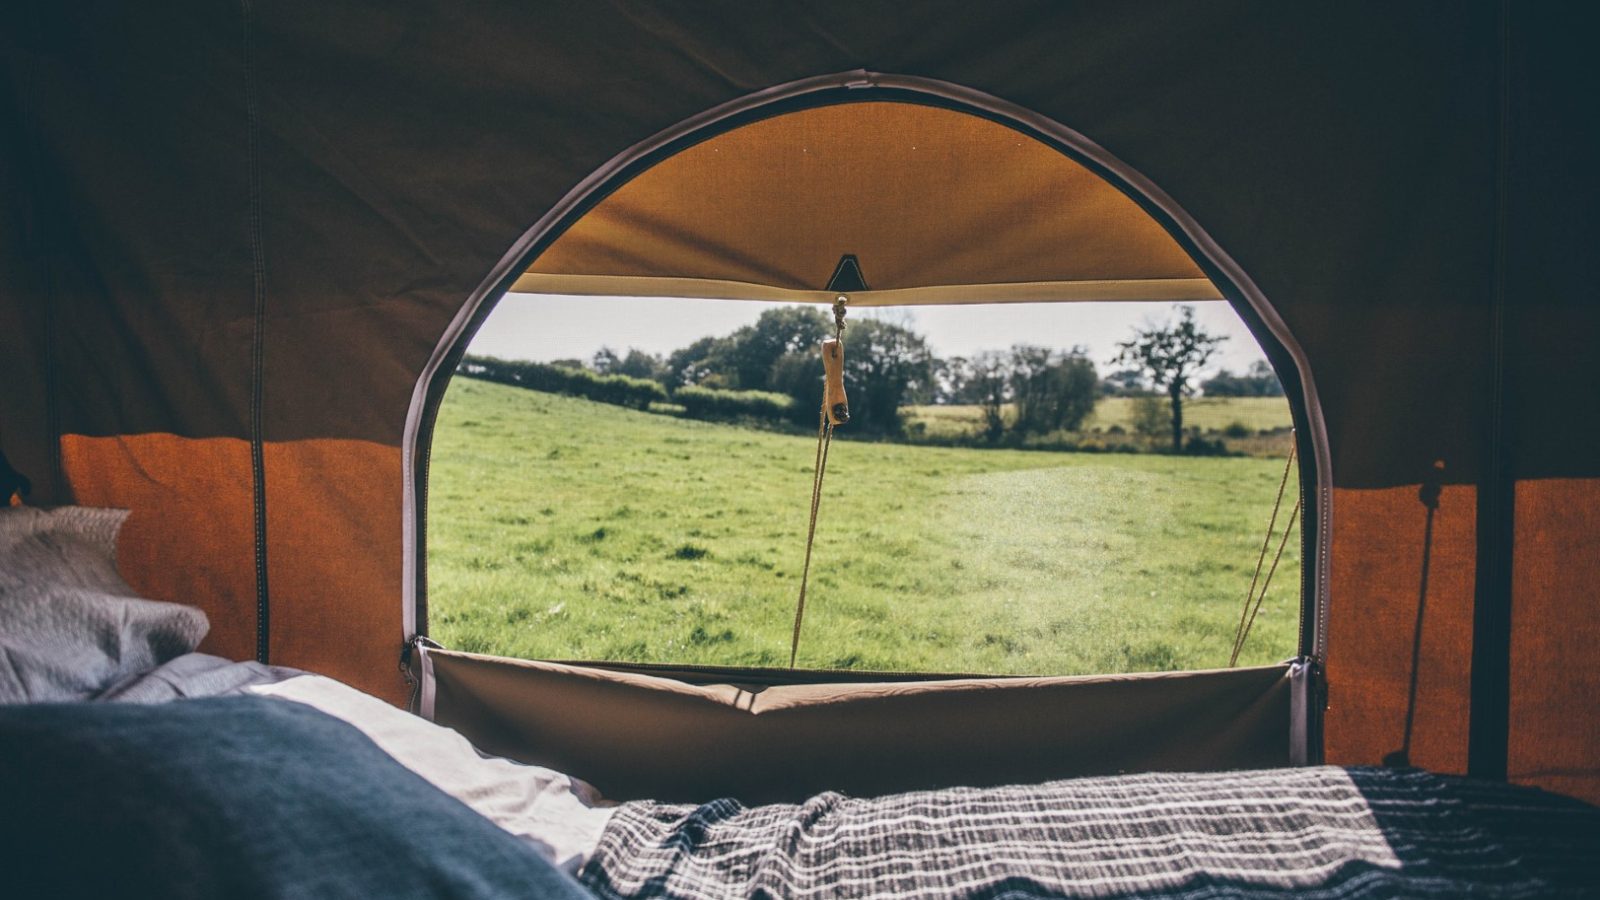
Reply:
x=1247 y=299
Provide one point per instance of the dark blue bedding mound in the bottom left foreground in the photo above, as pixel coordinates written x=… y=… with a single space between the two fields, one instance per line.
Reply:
x=238 y=798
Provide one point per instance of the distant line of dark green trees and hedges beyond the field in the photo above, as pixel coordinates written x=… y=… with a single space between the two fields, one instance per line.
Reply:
x=772 y=371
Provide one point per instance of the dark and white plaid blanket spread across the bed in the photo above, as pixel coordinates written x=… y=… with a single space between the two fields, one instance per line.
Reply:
x=1321 y=832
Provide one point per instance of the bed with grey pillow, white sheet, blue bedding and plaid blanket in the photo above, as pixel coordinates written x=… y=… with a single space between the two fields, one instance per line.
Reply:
x=148 y=769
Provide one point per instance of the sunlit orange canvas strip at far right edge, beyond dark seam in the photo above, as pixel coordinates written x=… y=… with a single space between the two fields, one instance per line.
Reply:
x=1556 y=629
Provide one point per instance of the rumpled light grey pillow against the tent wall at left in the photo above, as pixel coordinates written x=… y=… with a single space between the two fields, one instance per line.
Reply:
x=70 y=625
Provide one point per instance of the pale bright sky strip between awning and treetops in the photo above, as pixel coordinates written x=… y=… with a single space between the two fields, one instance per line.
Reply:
x=545 y=327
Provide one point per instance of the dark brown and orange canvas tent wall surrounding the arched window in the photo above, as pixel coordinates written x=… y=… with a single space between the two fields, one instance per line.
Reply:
x=234 y=239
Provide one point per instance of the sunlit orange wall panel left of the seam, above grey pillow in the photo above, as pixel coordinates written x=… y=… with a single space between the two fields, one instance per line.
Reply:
x=191 y=532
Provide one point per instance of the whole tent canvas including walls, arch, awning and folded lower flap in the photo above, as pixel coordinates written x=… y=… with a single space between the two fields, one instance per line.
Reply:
x=244 y=251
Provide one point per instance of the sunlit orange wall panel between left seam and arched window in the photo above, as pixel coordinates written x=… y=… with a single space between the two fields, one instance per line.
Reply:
x=335 y=561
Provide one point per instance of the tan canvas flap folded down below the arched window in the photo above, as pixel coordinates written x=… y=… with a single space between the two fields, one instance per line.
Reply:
x=642 y=736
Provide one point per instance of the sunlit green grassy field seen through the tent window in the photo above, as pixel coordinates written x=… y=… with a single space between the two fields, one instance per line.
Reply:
x=566 y=529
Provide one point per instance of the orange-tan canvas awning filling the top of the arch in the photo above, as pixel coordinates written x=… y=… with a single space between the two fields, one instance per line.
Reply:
x=922 y=196
